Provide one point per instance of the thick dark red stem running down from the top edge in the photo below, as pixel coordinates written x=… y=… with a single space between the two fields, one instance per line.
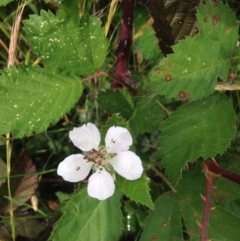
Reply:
x=124 y=45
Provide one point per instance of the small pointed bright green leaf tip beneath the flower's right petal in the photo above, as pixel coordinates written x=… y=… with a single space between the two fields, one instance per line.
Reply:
x=137 y=190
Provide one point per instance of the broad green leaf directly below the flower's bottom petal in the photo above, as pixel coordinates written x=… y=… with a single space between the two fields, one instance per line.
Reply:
x=86 y=218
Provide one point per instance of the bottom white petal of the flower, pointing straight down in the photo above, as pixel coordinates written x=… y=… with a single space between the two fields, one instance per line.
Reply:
x=101 y=185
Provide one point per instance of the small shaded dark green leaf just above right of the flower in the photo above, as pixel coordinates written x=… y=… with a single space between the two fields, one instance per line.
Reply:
x=147 y=116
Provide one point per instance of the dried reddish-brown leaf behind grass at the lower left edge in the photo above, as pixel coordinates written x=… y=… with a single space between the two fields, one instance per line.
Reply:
x=22 y=188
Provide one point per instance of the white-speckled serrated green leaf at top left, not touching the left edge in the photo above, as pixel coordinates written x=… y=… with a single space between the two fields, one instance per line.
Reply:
x=64 y=44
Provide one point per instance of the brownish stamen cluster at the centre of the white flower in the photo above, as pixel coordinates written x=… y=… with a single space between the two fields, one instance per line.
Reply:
x=99 y=157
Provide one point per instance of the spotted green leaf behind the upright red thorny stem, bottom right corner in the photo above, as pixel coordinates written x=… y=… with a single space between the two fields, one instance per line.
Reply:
x=222 y=224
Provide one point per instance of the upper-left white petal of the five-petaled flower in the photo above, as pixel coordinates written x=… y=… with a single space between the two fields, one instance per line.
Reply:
x=86 y=137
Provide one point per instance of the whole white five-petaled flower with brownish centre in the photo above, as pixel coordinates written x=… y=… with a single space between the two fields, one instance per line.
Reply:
x=114 y=155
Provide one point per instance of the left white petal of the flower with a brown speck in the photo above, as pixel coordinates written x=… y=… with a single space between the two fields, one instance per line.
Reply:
x=74 y=168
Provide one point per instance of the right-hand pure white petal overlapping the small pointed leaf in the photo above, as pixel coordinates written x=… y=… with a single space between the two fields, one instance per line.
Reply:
x=127 y=164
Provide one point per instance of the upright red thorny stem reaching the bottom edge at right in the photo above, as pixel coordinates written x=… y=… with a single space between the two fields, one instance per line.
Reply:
x=207 y=204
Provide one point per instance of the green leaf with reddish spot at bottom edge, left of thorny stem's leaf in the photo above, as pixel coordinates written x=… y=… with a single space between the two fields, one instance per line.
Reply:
x=164 y=223
